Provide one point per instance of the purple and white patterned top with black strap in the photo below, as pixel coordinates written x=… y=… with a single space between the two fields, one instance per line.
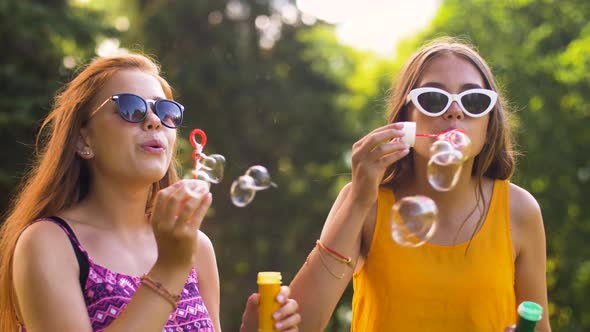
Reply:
x=107 y=293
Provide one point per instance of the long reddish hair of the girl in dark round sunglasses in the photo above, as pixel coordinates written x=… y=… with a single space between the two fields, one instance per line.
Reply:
x=59 y=178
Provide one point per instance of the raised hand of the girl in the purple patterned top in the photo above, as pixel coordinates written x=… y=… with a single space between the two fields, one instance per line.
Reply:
x=176 y=219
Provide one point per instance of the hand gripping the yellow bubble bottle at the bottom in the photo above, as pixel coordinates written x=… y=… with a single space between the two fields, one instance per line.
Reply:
x=287 y=318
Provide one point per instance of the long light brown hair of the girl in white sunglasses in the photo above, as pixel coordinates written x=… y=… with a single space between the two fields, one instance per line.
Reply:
x=497 y=159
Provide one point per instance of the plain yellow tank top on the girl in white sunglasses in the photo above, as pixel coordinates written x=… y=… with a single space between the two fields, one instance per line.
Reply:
x=435 y=288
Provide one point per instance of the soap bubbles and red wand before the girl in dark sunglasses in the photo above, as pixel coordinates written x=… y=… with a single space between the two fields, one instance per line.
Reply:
x=210 y=169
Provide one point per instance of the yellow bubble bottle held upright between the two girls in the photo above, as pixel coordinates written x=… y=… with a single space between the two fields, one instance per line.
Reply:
x=269 y=285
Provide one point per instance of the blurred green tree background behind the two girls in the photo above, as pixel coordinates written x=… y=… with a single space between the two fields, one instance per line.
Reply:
x=271 y=86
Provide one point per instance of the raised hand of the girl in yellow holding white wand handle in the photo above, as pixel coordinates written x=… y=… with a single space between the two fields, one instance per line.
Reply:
x=371 y=156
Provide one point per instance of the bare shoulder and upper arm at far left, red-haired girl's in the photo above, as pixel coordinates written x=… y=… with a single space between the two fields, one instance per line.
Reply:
x=45 y=267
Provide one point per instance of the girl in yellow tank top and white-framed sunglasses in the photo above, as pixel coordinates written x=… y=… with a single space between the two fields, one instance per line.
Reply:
x=488 y=253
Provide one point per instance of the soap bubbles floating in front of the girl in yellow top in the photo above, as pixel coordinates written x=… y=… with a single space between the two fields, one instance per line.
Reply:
x=414 y=218
